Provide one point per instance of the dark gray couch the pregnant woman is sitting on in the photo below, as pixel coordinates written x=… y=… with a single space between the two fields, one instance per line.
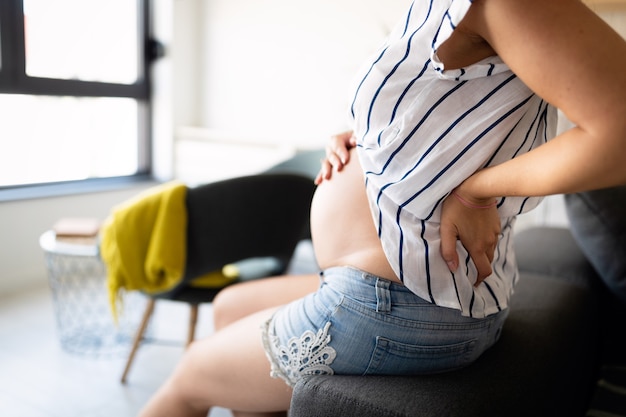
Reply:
x=563 y=325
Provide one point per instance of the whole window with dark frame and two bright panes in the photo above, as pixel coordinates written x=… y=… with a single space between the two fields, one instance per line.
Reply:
x=74 y=90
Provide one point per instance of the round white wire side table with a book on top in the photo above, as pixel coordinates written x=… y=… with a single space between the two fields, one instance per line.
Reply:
x=77 y=278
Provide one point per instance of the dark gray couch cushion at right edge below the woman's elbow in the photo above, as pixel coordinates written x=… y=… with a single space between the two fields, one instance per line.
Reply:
x=598 y=222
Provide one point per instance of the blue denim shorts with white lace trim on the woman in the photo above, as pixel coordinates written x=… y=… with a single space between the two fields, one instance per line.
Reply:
x=360 y=324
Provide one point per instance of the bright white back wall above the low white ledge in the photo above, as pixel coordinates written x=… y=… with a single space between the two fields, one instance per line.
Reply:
x=298 y=58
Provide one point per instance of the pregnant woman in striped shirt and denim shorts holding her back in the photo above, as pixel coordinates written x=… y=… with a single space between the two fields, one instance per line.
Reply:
x=453 y=120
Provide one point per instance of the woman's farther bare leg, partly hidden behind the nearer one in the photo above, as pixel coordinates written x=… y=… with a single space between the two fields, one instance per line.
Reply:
x=241 y=300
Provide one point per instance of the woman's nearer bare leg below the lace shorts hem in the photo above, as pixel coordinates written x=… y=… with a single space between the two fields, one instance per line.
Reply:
x=229 y=369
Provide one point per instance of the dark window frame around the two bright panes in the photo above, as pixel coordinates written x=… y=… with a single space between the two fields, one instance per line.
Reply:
x=14 y=80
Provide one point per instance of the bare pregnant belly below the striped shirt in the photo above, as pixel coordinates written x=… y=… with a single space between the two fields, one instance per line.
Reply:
x=342 y=228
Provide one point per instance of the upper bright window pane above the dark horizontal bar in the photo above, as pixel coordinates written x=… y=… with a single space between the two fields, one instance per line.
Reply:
x=89 y=40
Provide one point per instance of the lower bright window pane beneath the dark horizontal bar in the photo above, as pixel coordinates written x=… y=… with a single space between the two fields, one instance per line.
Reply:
x=49 y=139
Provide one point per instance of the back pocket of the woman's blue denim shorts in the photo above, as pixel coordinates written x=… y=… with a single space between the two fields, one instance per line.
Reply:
x=397 y=358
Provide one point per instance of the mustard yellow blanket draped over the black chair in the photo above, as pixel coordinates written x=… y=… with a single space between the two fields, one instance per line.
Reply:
x=143 y=242
